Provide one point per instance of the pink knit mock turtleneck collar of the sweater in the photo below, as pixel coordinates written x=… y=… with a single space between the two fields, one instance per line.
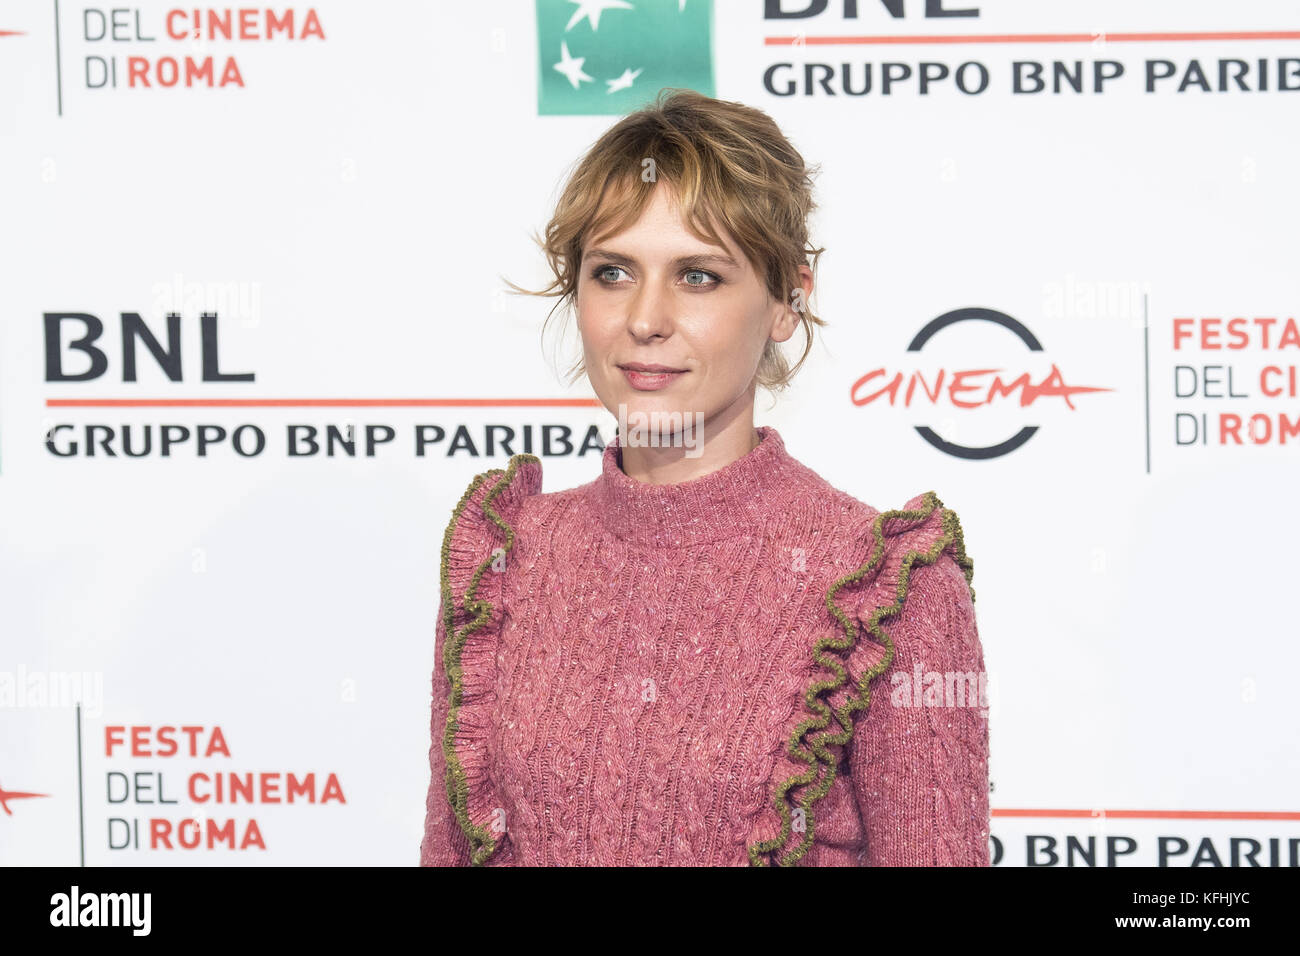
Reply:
x=734 y=500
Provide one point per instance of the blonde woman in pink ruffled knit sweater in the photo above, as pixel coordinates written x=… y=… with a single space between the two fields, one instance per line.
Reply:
x=673 y=665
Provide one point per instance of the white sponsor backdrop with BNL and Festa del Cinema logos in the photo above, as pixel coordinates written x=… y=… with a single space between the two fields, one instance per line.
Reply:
x=257 y=339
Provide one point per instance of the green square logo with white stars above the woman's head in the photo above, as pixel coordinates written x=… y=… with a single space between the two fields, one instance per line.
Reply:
x=613 y=57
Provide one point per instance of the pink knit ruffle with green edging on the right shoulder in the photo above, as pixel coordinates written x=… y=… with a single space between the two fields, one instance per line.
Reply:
x=920 y=533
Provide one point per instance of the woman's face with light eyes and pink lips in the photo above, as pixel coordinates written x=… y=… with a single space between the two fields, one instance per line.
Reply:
x=657 y=296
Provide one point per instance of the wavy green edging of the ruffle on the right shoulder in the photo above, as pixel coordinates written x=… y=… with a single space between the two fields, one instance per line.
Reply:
x=952 y=535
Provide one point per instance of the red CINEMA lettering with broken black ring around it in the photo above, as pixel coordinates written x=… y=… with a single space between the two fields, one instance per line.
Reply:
x=968 y=388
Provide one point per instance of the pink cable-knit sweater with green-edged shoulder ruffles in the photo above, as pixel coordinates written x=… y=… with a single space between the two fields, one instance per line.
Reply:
x=635 y=674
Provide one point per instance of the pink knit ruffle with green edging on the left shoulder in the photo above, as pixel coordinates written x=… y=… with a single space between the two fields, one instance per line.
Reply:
x=474 y=552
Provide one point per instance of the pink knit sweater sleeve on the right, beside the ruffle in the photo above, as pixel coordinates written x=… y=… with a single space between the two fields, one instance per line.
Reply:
x=920 y=759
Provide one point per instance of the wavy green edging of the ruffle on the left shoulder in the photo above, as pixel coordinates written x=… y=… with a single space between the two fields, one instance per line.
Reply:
x=482 y=843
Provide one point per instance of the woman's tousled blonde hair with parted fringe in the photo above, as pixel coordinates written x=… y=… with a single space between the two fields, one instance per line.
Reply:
x=726 y=161
